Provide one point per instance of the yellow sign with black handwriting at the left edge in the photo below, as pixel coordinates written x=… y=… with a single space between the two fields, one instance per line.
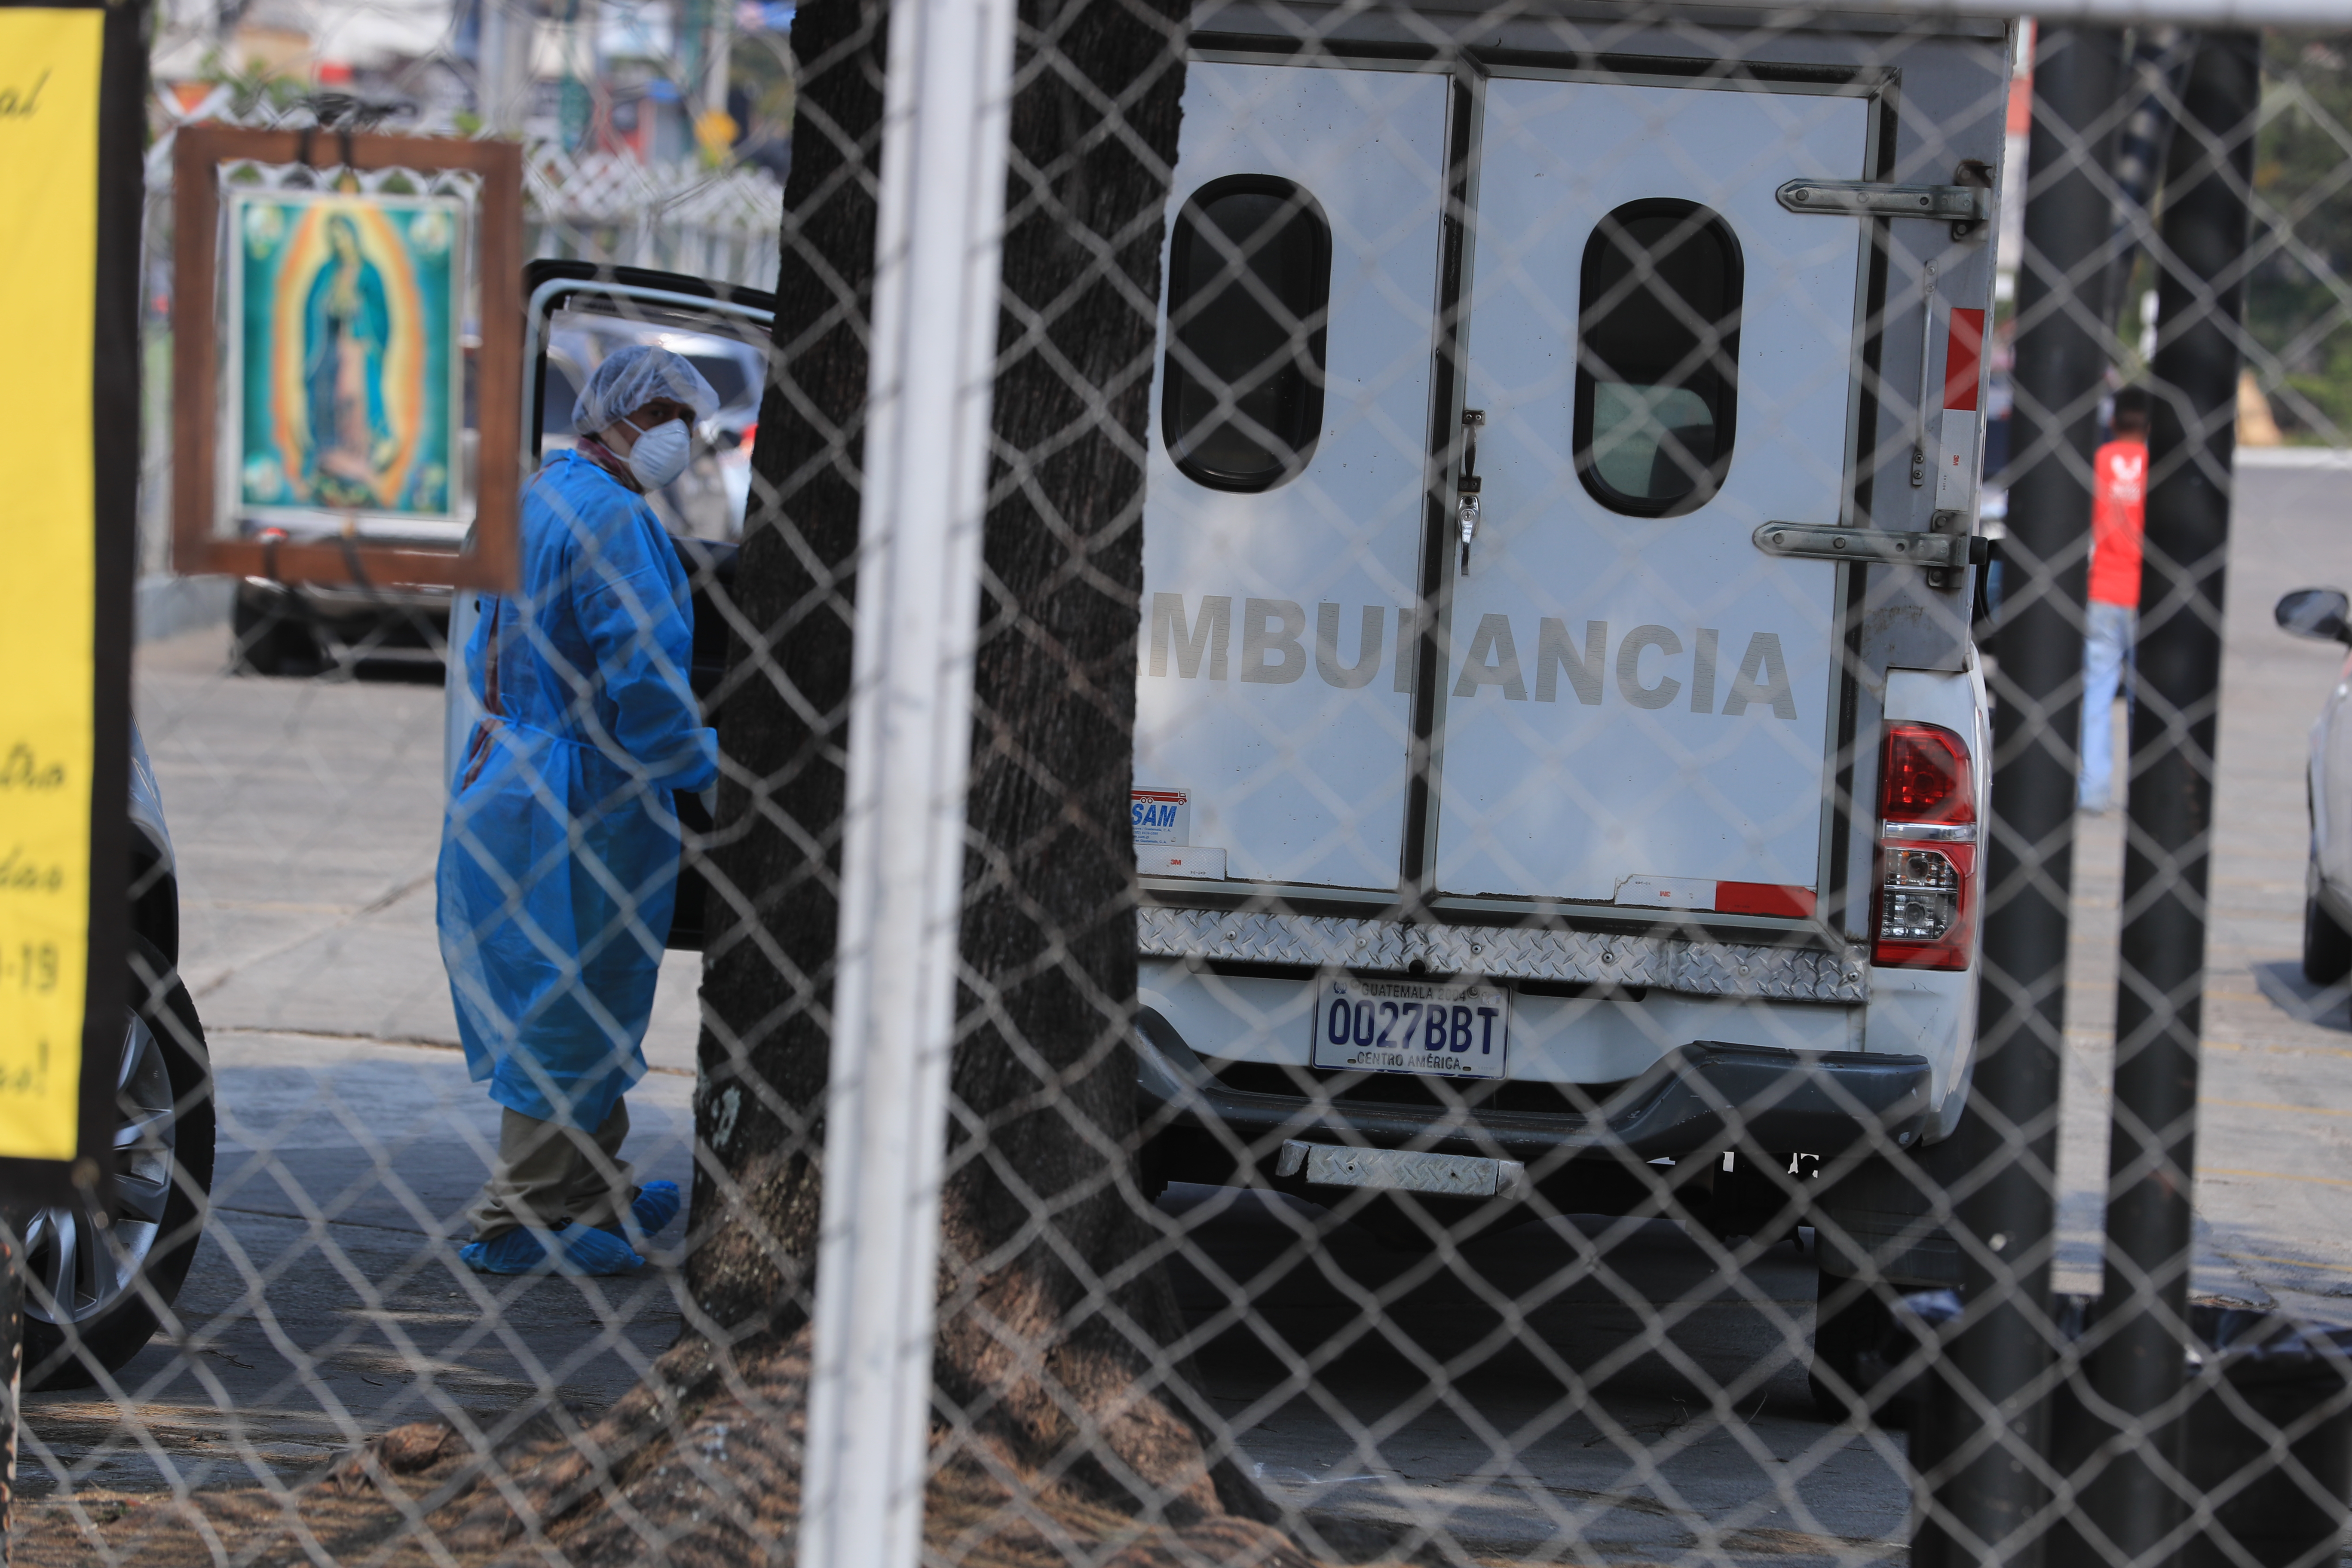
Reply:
x=48 y=544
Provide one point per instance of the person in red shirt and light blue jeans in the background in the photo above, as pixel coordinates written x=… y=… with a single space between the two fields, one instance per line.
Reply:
x=2118 y=521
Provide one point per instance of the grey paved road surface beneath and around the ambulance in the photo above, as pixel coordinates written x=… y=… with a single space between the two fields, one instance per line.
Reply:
x=328 y=1304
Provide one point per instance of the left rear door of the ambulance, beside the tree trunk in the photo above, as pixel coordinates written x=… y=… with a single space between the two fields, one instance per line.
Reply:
x=1290 y=474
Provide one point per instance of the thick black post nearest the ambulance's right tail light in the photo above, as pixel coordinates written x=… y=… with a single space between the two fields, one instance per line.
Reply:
x=1979 y=1447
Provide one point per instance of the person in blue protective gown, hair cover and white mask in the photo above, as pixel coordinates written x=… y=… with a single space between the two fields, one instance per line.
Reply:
x=559 y=866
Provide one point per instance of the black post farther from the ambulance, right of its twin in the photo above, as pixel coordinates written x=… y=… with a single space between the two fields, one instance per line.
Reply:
x=2139 y=1369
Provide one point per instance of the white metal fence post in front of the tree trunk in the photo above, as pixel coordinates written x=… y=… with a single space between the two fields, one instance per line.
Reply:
x=935 y=333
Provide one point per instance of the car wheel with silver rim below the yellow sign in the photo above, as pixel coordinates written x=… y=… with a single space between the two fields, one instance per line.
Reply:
x=102 y=1282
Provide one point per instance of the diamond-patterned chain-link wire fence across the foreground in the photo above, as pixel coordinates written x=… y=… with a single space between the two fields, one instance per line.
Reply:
x=1285 y=784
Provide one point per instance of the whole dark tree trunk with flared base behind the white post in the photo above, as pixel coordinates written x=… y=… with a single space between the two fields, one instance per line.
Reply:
x=1053 y=1348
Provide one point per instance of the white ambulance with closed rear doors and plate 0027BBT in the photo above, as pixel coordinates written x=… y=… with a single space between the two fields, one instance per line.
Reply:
x=1561 y=749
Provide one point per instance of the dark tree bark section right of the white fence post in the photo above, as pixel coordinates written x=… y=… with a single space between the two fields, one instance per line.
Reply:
x=1045 y=1336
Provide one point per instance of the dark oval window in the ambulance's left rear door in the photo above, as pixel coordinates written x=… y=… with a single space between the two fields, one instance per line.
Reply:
x=1250 y=286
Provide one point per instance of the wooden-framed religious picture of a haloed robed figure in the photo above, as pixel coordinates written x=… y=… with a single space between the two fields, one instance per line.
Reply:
x=349 y=359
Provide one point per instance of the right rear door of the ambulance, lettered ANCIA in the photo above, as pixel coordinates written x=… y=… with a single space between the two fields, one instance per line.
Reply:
x=1641 y=706
